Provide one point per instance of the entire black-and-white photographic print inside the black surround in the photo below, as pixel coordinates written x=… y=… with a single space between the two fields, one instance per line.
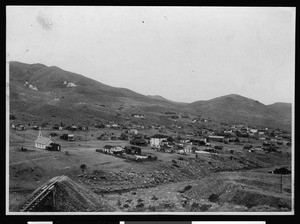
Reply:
x=139 y=110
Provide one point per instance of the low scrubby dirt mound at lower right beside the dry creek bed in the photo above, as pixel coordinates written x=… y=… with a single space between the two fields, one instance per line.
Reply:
x=247 y=193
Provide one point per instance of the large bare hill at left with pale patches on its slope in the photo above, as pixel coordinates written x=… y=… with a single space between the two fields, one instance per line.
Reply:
x=65 y=96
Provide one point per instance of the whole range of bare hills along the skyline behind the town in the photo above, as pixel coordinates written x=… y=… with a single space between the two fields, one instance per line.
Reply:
x=49 y=94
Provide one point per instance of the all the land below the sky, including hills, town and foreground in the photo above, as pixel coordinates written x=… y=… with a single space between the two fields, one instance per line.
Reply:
x=78 y=145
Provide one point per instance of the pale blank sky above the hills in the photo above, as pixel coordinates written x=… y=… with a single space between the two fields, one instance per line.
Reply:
x=181 y=53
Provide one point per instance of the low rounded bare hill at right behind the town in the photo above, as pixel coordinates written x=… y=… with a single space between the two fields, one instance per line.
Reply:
x=235 y=108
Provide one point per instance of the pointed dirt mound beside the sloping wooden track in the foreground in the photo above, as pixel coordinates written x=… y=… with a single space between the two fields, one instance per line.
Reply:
x=69 y=196
